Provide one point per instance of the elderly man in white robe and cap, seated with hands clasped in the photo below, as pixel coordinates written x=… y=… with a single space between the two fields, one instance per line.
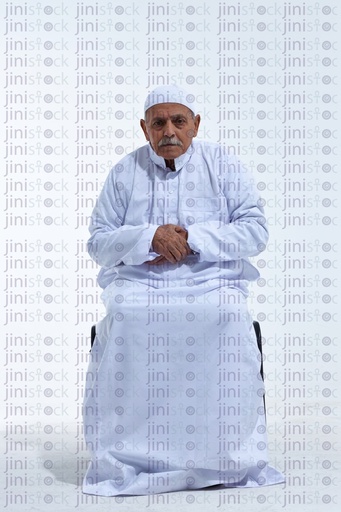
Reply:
x=174 y=398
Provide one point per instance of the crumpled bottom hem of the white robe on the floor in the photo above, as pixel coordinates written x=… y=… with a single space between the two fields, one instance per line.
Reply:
x=147 y=483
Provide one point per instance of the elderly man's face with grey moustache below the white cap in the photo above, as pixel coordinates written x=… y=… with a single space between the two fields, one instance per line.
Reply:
x=170 y=128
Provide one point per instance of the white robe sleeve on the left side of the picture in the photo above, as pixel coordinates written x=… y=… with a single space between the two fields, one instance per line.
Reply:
x=111 y=243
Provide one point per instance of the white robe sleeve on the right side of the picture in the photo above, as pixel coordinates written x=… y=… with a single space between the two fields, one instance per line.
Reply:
x=244 y=232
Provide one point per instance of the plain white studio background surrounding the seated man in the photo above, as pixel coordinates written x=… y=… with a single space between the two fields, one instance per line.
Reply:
x=75 y=75
